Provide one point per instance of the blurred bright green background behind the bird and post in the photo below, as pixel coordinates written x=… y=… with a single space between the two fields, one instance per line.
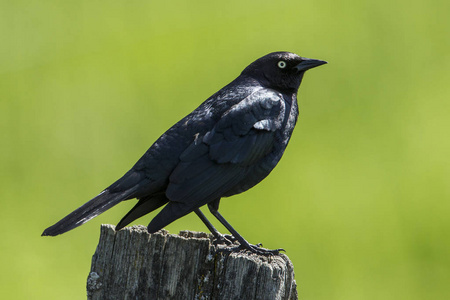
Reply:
x=360 y=200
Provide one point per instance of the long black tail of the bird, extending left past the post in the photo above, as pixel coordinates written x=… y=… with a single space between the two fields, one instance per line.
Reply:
x=99 y=204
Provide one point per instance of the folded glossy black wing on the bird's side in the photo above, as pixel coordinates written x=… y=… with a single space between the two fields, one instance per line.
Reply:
x=216 y=162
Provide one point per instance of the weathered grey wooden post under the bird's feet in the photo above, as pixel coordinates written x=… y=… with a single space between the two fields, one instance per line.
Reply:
x=132 y=264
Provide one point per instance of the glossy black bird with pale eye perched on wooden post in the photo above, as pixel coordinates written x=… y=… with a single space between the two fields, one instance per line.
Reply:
x=227 y=145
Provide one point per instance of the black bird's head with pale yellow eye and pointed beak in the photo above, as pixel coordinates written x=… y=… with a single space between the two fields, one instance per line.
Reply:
x=281 y=70
